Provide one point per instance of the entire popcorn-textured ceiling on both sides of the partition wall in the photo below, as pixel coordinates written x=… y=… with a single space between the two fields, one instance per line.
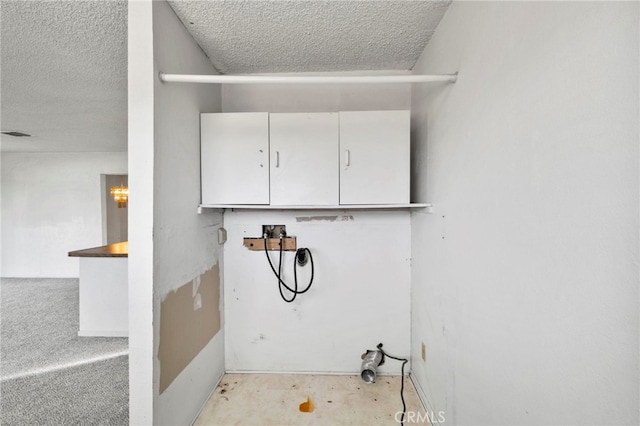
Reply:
x=64 y=63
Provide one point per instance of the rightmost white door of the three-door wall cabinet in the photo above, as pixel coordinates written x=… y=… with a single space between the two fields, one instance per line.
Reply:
x=374 y=157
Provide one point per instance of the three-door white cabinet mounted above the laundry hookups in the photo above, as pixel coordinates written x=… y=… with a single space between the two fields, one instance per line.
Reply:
x=357 y=158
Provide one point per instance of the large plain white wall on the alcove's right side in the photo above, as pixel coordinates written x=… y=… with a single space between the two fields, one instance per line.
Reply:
x=525 y=277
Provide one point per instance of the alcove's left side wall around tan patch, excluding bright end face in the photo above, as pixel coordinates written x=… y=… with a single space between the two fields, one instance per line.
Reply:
x=185 y=243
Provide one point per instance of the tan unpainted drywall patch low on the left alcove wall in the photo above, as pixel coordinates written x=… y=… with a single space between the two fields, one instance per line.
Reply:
x=189 y=318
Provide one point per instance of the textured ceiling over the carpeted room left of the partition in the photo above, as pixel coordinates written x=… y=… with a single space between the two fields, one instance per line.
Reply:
x=64 y=75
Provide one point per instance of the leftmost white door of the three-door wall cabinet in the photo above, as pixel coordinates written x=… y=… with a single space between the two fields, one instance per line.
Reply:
x=235 y=158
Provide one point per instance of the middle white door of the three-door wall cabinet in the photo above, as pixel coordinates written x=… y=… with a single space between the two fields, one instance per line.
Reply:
x=304 y=159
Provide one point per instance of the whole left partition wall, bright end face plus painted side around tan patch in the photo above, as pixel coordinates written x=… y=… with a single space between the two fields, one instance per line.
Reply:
x=170 y=244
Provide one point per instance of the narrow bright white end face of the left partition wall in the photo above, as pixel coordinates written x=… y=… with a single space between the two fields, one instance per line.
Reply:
x=141 y=200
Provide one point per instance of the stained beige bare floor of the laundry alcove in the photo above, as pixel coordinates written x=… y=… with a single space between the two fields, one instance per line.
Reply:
x=275 y=399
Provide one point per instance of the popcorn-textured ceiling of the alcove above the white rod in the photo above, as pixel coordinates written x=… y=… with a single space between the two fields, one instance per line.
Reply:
x=302 y=36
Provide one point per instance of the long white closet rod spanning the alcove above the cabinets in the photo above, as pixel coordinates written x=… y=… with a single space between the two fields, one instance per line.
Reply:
x=293 y=79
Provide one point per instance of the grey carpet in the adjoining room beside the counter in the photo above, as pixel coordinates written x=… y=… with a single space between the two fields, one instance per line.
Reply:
x=49 y=375
